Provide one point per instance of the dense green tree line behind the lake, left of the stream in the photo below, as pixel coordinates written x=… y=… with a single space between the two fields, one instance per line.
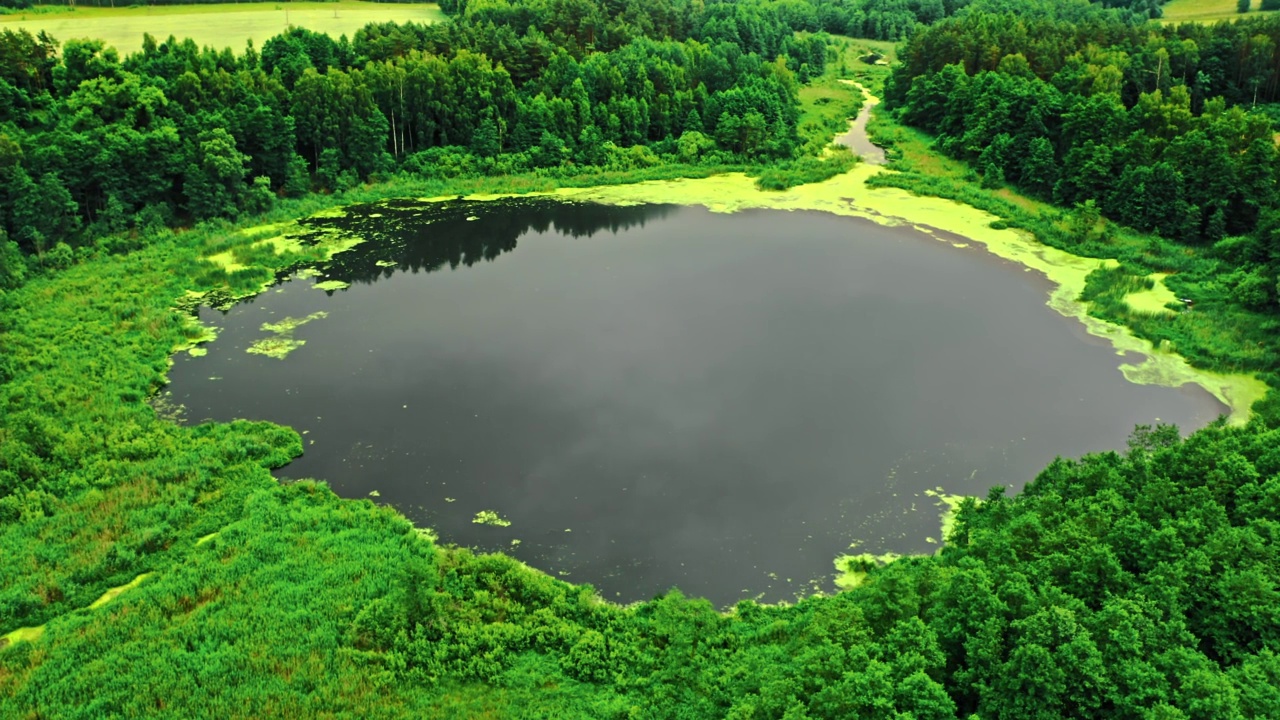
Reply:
x=97 y=147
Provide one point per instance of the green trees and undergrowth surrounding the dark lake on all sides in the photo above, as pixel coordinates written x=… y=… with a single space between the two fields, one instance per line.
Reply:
x=1133 y=585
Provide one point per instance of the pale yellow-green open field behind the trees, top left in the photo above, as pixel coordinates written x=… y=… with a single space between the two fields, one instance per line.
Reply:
x=228 y=25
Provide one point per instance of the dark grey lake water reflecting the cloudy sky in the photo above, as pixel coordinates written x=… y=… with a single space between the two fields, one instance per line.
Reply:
x=661 y=397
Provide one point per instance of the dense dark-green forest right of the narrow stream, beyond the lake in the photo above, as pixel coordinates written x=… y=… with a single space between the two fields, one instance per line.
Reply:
x=1158 y=127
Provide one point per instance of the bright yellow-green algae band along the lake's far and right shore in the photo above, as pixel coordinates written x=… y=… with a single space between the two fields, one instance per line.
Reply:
x=848 y=195
